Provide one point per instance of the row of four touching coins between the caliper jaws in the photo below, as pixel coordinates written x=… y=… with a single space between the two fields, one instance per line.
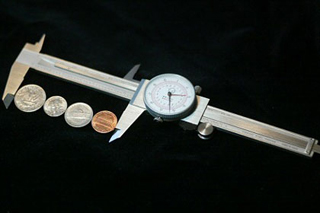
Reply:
x=31 y=97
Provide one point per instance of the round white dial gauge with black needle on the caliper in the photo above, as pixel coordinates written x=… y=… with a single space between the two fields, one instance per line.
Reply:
x=169 y=96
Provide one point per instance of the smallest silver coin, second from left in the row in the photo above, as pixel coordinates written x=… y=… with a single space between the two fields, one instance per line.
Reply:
x=55 y=106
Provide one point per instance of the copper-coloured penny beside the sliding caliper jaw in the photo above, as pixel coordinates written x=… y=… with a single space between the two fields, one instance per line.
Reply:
x=104 y=121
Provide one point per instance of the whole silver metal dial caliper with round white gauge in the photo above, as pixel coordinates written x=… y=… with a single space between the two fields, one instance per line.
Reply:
x=166 y=97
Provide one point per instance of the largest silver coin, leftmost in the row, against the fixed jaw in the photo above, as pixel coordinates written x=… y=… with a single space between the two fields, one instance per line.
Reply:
x=30 y=98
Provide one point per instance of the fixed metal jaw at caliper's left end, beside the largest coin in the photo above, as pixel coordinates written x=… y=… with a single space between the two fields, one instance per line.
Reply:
x=17 y=73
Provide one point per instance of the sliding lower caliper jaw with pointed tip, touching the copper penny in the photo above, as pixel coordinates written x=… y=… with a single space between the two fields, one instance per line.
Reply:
x=133 y=111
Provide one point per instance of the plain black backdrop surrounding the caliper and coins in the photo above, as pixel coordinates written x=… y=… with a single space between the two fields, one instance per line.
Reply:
x=257 y=59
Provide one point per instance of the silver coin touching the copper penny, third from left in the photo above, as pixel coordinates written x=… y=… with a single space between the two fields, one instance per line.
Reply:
x=78 y=114
